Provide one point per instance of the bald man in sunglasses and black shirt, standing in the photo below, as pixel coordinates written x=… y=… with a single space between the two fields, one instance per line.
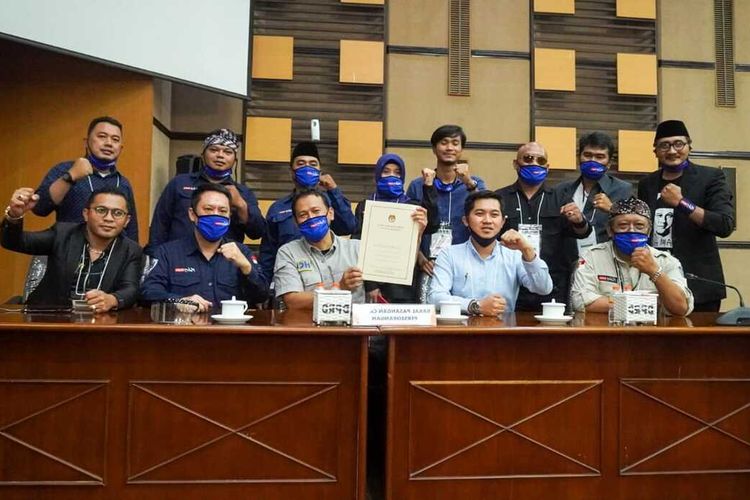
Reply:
x=536 y=210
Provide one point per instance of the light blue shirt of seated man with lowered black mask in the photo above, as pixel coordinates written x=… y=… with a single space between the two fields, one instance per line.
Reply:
x=462 y=275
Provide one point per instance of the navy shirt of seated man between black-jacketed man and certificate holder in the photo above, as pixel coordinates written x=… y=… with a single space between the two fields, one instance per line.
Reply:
x=182 y=270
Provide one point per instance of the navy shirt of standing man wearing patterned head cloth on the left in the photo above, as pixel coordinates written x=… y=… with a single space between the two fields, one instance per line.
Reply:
x=171 y=222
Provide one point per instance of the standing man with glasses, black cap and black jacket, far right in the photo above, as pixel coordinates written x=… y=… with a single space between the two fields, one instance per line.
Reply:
x=701 y=206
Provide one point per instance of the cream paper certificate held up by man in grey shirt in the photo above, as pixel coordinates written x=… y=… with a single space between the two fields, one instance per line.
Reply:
x=388 y=250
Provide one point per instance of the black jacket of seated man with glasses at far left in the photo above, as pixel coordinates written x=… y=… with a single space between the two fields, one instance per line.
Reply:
x=63 y=243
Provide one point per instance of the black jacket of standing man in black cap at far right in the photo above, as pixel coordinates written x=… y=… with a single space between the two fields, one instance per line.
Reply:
x=695 y=246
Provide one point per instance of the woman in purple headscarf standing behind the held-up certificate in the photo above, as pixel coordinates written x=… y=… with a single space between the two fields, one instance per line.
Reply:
x=390 y=172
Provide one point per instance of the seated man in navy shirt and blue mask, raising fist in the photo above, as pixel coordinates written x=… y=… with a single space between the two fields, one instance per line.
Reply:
x=204 y=267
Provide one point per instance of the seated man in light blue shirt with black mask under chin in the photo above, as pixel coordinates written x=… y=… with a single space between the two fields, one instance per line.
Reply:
x=485 y=274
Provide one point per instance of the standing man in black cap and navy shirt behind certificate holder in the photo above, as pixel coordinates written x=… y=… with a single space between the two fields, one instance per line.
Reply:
x=306 y=174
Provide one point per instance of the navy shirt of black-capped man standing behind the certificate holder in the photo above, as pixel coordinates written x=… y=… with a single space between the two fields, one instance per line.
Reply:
x=282 y=227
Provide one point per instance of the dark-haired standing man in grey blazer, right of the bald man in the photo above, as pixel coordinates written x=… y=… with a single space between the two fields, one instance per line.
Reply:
x=595 y=189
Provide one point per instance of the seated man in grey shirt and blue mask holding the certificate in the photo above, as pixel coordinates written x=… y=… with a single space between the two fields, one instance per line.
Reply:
x=320 y=257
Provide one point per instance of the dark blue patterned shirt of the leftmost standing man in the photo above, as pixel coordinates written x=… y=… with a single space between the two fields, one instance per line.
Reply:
x=71 y=207
